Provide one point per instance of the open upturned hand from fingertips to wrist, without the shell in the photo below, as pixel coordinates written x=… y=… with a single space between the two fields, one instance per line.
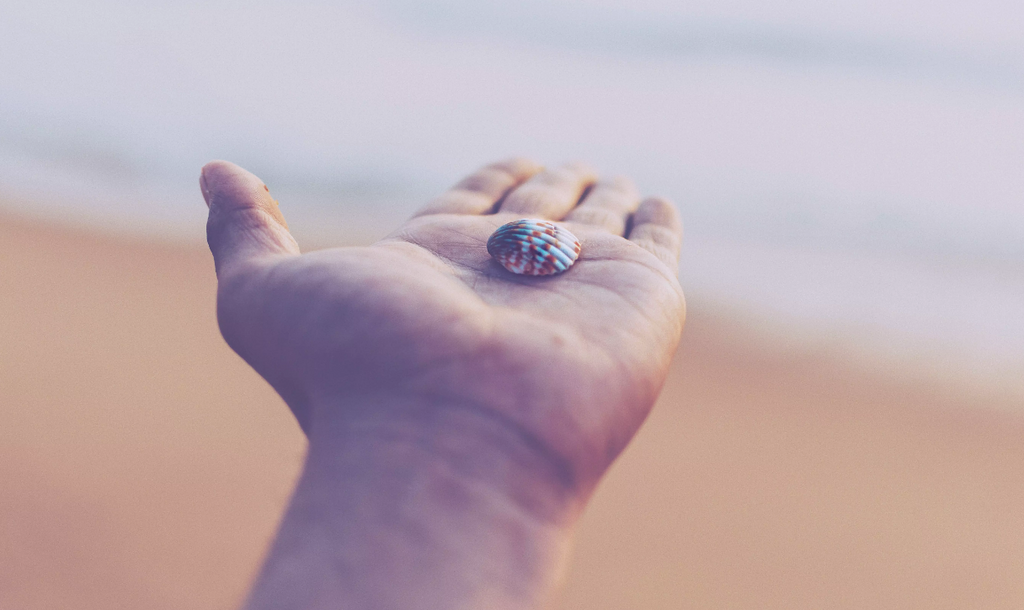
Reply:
x=423 y=327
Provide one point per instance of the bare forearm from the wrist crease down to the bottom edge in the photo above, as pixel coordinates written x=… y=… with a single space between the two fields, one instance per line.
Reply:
x=408 y=506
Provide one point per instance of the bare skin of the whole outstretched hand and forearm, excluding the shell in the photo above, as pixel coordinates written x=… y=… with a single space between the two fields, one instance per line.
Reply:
x=459 y=416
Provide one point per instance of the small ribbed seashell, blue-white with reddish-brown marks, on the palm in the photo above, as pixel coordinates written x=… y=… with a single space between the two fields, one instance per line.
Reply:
x=534 y=247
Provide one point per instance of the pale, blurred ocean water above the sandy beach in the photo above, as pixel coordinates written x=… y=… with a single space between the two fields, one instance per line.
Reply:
x=854 y=169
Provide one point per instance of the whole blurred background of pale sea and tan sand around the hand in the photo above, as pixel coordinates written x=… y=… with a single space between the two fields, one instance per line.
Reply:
x=850 y=175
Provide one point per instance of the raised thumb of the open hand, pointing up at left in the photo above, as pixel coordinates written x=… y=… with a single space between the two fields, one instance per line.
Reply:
x=245 y=224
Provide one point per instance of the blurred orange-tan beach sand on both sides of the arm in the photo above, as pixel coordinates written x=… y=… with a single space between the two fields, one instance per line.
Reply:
x=143 y=465
